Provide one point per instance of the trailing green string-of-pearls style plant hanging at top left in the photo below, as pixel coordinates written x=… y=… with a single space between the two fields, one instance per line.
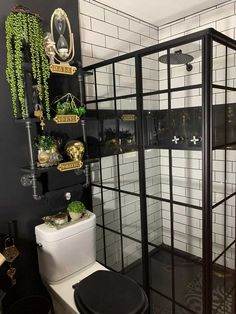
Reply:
x=24 y=40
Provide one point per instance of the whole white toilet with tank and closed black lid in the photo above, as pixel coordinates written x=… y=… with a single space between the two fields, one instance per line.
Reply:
x=67 y=257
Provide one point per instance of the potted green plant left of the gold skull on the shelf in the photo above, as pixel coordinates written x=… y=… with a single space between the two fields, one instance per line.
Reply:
x=48 y=154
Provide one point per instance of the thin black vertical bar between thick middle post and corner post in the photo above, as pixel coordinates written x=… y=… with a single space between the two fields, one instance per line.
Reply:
x=171 y=187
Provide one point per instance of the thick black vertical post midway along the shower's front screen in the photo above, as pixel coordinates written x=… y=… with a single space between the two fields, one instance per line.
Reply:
x=142 y=174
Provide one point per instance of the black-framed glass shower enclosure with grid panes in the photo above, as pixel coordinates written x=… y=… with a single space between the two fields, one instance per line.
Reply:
x=164 y=187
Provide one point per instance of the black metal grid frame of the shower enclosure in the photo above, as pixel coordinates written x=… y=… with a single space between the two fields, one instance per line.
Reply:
x=206 y=37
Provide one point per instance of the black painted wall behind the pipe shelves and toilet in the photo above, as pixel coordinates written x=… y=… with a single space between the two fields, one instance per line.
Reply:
x=16 y=202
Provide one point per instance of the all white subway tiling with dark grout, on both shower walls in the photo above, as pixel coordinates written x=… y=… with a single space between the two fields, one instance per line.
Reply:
x=107 y=33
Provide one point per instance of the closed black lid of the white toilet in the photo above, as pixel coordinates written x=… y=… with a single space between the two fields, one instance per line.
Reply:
x=106 y=292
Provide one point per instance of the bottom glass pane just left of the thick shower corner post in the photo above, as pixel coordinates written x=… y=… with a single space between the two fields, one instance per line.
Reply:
x=187 y=260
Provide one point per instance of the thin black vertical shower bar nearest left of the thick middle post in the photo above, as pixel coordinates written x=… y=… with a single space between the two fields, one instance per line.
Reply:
x=118 y=166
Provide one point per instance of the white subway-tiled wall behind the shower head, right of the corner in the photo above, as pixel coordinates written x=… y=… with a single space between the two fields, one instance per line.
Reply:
x=188 y=164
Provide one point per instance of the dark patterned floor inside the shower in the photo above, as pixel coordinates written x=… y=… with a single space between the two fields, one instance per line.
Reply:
x=188 y=284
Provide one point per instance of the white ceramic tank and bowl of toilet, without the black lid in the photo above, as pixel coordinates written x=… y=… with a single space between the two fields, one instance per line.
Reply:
x=66 y=256
